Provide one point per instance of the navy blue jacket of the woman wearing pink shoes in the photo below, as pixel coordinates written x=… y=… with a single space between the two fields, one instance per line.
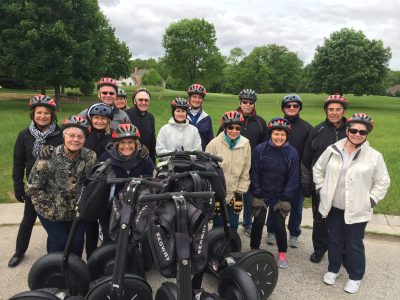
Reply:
x=274 y=172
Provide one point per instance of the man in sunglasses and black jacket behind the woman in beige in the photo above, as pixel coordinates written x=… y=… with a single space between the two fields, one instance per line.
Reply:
x=255 y=130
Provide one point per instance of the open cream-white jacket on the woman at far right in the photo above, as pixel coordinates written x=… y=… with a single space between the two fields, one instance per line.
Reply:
x=366 y=178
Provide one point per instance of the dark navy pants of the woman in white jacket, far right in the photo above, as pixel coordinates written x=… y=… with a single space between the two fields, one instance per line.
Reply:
x=345 y=236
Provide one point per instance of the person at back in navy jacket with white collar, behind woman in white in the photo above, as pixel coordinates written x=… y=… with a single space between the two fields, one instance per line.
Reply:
x=197 y=116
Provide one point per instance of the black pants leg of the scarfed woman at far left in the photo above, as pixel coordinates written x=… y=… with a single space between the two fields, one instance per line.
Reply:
x=25 y=228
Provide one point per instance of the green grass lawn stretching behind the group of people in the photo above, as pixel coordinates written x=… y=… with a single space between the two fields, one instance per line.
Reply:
x=14 y=116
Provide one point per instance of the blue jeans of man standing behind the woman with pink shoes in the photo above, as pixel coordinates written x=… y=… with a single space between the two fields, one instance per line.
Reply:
x=295 y=217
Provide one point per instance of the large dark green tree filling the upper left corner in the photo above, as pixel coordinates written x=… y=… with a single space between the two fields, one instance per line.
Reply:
x=55 y=43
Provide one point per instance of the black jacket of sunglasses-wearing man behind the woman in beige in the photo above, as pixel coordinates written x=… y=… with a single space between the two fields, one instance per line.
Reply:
x=254 y=129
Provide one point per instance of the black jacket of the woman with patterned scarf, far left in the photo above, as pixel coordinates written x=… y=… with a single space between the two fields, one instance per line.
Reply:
x=23 y=159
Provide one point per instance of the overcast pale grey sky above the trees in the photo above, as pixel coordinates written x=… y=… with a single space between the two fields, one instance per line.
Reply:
x=299 y=25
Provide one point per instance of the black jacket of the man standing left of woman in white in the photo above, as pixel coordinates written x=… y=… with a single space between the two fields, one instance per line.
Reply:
x=145 y=122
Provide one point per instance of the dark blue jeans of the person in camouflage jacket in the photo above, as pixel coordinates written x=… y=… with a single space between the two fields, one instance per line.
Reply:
x=58 y=233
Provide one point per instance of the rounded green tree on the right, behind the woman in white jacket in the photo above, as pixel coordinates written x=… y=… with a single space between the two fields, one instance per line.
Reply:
x=348 y=62
